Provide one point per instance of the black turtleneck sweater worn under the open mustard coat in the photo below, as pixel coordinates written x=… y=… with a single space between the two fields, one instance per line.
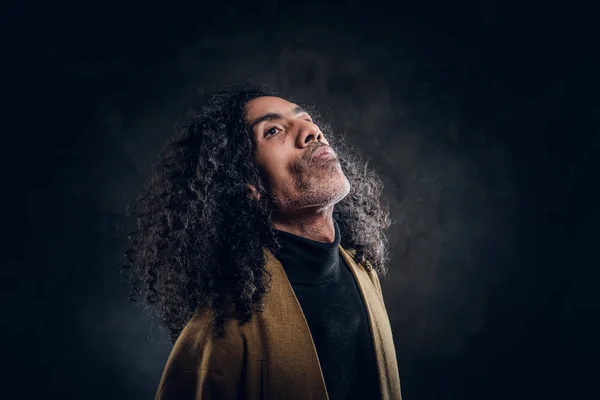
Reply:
x=335 y=312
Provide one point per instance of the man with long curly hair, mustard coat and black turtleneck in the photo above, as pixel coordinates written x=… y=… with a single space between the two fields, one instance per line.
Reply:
x=260 y=244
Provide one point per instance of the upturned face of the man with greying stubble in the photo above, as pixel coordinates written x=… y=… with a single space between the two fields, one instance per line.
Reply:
x=285 y=139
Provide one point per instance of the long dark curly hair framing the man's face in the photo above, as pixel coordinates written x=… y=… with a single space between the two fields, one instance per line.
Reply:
x=198 y=240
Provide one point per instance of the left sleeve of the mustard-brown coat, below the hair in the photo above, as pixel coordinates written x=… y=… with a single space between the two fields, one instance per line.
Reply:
x=201 y=367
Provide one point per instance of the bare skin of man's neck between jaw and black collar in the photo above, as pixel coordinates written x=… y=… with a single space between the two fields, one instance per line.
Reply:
x=317 y=226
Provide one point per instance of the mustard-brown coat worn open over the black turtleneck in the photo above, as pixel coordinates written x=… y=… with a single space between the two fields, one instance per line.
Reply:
x=272 y=356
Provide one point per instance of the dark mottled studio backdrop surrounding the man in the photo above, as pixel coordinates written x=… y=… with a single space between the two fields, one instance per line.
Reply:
x=482 y=119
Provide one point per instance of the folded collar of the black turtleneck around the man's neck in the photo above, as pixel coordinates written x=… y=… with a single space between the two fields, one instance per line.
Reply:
x=307 y=261
